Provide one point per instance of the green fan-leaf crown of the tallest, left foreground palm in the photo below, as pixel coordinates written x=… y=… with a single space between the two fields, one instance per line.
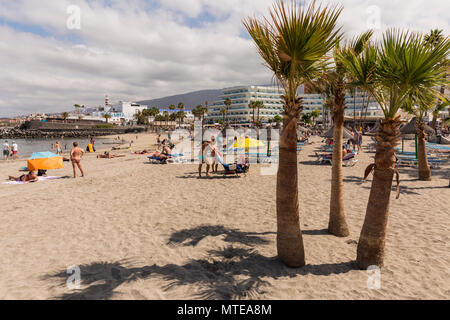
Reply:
x=295 y=42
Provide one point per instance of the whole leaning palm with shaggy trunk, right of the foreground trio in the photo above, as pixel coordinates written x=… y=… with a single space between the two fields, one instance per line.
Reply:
x=405 y=65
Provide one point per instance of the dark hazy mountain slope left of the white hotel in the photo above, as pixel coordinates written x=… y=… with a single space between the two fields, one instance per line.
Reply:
x=190 y=99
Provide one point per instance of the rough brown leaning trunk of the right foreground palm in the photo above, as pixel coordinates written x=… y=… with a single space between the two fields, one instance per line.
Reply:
x=373 y=234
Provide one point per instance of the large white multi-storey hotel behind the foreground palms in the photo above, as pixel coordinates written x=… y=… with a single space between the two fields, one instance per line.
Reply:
x=239 y=111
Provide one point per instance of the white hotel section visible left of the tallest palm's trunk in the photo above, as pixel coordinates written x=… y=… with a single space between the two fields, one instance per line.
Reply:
x=239 y=111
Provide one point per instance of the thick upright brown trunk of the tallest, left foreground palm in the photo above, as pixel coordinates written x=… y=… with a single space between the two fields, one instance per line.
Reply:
x=289 y=237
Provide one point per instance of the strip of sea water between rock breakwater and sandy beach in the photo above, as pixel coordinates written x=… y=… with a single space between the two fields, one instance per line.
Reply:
x=28 y=146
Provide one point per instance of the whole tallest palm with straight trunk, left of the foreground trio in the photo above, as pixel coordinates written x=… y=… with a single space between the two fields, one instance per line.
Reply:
x=294 y=44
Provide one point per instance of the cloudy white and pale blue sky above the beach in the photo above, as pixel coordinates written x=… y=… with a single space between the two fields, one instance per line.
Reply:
x=57 y=53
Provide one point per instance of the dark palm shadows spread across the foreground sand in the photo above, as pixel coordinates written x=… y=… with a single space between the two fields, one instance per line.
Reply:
x=226 y=273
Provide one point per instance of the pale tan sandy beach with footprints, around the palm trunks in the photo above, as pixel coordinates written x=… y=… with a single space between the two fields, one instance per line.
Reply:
x=144 y=231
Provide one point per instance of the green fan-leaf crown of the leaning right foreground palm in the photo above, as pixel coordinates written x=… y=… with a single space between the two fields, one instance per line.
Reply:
x=403 y=65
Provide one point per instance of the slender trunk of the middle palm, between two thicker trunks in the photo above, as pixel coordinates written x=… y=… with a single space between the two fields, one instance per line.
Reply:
x=337 y=224
